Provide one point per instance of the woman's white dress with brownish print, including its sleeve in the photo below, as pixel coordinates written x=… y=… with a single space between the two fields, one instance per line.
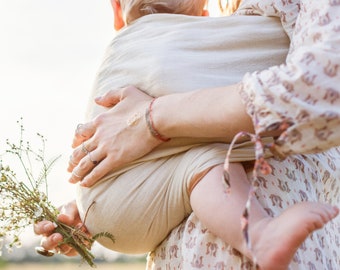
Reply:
x=312 y=114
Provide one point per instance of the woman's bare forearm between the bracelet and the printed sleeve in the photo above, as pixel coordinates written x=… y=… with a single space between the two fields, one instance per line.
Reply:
x=217 y=112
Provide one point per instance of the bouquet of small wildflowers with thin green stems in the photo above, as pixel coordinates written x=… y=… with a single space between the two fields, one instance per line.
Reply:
x=25 y=201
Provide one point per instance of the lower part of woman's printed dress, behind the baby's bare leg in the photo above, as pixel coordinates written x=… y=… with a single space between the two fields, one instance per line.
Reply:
x=295 y=179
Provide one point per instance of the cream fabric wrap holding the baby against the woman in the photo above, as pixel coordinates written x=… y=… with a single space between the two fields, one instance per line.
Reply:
x=162 y=54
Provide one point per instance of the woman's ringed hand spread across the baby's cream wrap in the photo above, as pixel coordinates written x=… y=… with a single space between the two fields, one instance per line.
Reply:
x=114 y=138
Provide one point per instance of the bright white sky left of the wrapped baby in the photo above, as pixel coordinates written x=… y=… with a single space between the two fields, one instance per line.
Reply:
x=50 y=51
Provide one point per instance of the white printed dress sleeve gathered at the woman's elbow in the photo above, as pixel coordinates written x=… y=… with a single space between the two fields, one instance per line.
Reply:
x=302 y=97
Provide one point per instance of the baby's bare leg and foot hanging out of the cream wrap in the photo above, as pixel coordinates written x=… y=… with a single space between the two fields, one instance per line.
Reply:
x=274 y=240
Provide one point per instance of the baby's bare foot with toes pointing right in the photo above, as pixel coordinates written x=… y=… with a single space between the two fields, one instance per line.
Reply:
x=275 y=240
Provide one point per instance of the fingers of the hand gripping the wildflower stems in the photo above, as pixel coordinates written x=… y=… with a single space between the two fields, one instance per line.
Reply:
x=69 y=215
